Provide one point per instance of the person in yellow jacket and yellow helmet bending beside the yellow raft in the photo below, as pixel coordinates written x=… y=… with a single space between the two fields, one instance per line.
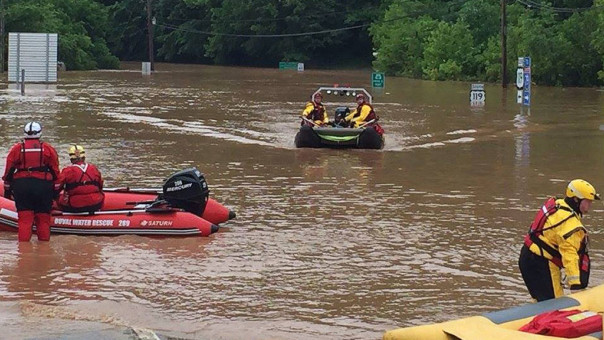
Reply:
x=557 y=239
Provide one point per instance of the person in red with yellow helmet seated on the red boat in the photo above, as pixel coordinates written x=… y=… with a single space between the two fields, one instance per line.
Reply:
x=82 y=184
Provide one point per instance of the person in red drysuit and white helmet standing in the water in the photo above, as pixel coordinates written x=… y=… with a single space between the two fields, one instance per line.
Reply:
x=32 y=177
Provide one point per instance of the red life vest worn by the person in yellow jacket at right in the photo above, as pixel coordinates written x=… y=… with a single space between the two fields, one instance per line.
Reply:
x=537 y=228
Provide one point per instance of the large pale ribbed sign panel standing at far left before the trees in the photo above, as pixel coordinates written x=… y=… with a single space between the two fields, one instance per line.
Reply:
x=36 y=53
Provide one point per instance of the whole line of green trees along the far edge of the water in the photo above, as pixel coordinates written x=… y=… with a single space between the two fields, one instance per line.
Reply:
x=429 y=39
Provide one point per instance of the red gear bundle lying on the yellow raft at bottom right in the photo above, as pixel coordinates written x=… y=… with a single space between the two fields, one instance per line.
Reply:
x=565 y=324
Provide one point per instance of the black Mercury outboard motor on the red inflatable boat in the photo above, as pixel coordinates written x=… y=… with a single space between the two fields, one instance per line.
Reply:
x=188 y=190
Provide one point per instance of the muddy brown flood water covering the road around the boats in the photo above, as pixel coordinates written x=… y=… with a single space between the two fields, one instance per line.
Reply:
x=327 y=244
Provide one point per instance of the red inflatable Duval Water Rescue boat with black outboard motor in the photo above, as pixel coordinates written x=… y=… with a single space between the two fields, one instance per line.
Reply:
x=182 y=208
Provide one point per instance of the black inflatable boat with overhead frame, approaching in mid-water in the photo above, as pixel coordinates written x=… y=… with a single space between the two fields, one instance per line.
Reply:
x=333 y=135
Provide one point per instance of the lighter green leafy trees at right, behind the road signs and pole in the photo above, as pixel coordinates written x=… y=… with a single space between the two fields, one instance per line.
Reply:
x=567 y=49
